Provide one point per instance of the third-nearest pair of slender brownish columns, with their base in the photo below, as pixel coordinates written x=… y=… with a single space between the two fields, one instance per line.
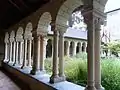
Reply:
x=38 y=62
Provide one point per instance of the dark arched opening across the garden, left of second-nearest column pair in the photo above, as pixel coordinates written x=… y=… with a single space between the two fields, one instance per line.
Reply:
x=49 y=48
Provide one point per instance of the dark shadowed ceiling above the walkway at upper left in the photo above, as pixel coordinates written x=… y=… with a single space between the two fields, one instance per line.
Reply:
x=12 y=11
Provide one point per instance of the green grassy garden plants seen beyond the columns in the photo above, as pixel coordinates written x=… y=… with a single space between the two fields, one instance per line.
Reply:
x=76 y=71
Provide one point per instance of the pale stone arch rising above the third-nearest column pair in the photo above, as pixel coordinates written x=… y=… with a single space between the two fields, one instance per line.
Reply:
x=44 y=22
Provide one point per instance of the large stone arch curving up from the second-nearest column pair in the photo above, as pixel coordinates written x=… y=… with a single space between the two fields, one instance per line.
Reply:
x=65 y=11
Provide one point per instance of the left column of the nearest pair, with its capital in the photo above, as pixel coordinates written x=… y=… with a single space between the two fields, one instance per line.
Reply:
x=89 y=20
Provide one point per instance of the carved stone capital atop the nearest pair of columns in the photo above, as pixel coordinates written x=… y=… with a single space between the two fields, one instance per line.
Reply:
x=93 y=16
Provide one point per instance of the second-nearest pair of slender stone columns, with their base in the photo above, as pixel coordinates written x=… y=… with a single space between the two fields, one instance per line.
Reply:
x=58 y=76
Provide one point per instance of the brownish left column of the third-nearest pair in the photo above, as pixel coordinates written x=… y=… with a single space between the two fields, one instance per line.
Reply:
x=36 y=54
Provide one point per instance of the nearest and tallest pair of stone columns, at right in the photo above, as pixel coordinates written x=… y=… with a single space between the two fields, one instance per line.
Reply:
x=94 y=70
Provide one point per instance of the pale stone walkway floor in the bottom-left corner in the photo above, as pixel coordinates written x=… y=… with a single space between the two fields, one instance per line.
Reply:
x=6 y=83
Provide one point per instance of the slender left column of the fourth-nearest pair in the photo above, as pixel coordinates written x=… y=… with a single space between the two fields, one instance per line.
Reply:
x=24 y=64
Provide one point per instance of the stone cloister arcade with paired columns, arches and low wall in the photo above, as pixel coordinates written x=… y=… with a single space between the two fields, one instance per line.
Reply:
x=28 y=43
